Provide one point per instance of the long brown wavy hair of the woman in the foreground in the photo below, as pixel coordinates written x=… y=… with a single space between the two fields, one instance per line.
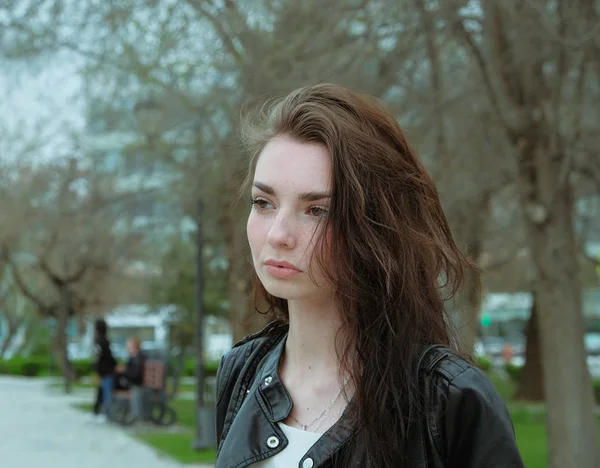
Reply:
x=391 y=256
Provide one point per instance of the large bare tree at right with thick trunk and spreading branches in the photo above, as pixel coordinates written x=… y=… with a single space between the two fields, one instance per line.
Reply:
x=532 y=76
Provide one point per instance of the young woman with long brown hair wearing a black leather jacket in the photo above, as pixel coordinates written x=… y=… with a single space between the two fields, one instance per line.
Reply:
x=354 y=263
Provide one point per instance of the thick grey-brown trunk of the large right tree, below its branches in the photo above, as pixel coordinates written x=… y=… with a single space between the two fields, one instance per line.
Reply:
x=547 y=203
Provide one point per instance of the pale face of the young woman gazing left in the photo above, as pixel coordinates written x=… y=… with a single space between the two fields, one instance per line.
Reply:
x=291 y=194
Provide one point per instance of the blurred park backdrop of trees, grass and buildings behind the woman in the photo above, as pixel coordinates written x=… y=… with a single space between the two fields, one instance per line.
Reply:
x=120 y=163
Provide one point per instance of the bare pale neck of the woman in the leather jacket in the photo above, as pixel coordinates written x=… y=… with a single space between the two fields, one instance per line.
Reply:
x=310 y=350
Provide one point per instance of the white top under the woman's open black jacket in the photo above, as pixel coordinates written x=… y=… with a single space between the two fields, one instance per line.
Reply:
x=299 y=442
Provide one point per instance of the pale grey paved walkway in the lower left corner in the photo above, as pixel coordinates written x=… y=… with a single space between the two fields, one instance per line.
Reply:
x=40 y=428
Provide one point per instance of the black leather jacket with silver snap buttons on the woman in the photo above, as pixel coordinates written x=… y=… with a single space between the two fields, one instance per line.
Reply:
x=467 y=426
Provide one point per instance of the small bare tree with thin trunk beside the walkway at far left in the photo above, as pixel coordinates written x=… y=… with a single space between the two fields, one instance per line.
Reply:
x=73 y=260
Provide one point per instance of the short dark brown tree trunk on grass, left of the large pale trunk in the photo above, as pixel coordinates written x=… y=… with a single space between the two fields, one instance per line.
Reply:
x=531 y=384
